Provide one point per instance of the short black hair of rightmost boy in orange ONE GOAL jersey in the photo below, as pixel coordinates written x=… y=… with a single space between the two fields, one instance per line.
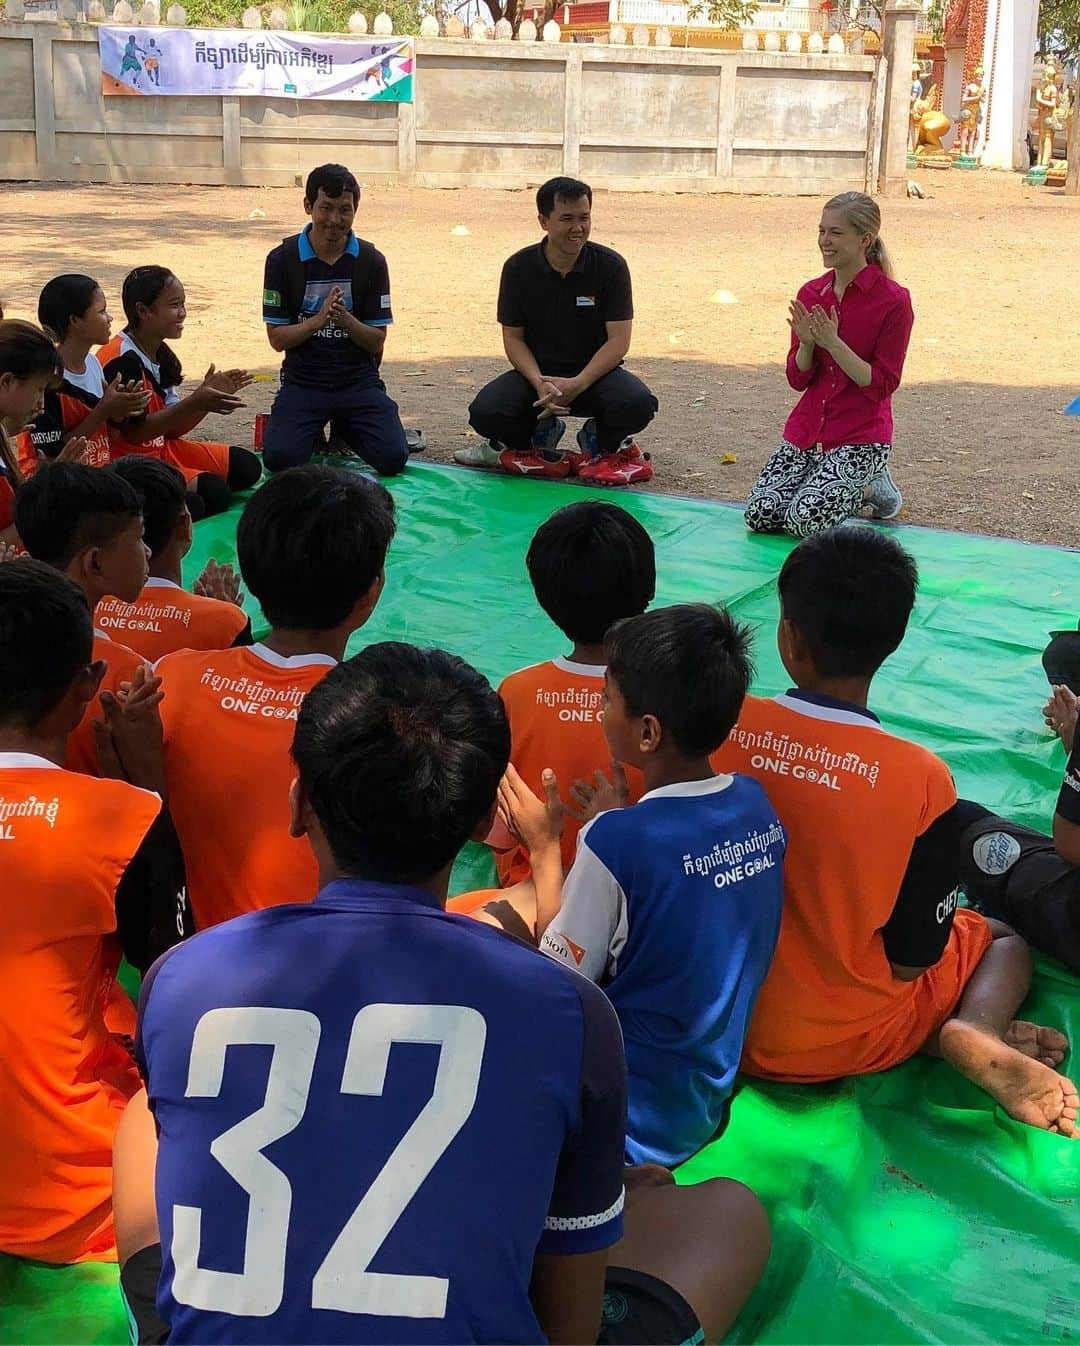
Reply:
x=850 y=592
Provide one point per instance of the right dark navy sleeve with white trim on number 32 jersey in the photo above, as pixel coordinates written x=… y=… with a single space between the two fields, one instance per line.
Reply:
x=588 y=1196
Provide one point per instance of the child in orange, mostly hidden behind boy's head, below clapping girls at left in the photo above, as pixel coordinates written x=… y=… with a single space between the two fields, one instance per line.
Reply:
x=166 y=617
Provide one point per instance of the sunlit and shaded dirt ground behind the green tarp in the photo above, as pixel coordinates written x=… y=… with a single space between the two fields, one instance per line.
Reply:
x=993 y=266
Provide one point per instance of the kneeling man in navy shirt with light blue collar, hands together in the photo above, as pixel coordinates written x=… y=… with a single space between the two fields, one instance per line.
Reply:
x=327 y=304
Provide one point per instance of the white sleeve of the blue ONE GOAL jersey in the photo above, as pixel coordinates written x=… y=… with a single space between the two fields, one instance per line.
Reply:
x=590 y=932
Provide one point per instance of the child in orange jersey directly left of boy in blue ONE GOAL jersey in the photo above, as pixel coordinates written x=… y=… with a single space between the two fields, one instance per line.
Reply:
x=590 y=565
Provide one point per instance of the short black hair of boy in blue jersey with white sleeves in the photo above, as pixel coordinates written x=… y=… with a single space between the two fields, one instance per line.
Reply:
x=689 y=666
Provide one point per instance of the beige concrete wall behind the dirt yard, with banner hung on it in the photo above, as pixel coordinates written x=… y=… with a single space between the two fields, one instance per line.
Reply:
x=487 y=115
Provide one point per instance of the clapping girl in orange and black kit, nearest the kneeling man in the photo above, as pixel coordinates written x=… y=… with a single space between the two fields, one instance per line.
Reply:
x=156 y=306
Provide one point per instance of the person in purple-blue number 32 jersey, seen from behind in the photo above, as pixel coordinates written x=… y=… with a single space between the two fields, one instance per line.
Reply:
x=383 y=1123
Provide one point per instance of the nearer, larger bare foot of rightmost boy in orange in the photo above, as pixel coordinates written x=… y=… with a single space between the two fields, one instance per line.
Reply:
x=1027 y=1090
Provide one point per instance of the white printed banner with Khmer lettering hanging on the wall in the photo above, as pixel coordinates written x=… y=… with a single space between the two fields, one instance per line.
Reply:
x=266 y=65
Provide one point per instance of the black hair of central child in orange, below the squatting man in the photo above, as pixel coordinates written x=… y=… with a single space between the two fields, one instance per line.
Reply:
x=592 y=565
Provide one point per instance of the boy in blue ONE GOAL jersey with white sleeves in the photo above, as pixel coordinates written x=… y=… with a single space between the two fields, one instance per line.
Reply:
x=674 y=904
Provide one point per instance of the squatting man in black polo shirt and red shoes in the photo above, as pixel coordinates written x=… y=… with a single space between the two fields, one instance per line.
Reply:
x=566 y=313
